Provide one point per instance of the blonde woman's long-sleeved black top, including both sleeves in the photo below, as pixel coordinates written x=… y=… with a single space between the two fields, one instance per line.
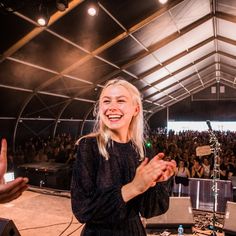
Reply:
x=96 y=191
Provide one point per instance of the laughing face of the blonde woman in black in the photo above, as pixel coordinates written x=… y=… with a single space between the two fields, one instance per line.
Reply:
x=117 y=108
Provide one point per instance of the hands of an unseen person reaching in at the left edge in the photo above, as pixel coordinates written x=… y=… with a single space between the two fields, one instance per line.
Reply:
x=13 y=189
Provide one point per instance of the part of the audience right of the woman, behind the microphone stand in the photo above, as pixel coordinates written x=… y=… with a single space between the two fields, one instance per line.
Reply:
x=182 y=147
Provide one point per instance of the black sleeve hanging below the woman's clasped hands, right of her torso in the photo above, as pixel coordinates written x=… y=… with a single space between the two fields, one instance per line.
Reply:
x=155 y=201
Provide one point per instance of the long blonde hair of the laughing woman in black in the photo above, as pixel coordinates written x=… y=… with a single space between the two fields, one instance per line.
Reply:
x=136 y=128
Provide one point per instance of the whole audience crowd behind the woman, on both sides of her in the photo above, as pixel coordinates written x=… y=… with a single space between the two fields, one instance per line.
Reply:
x=180 y=147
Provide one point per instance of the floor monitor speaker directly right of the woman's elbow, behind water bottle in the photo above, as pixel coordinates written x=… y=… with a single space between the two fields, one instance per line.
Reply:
x=179 y=213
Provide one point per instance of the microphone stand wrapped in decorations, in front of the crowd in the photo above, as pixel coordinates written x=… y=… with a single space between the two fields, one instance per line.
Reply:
x=215 y=145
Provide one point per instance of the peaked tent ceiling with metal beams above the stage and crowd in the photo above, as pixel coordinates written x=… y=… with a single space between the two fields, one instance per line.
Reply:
x=169 y=52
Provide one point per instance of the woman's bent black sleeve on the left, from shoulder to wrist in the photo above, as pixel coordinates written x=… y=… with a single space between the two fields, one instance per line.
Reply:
x=89 y=203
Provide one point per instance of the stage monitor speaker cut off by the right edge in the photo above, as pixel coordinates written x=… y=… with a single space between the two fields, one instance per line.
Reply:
x=229 y=222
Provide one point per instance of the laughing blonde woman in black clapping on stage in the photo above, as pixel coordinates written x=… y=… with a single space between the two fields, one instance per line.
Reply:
x=113 y=183
